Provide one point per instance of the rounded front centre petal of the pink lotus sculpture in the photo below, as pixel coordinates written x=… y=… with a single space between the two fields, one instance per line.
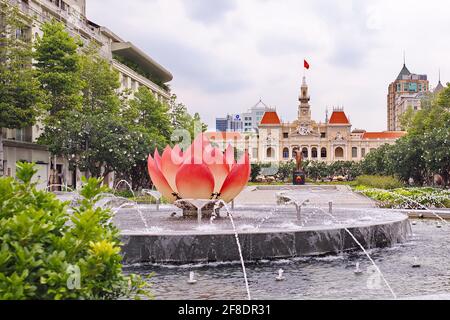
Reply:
x=195 y=181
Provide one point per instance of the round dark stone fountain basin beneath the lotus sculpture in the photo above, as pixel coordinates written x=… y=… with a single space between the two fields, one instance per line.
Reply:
x=177 y=240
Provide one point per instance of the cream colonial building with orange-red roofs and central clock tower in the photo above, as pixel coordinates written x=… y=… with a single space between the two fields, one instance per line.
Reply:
x=329 y=141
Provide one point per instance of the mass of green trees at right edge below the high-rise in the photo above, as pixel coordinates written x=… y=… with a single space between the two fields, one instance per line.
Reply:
x=424 y=151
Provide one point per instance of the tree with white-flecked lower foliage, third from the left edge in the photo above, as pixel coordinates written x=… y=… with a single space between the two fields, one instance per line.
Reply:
x=93 y=136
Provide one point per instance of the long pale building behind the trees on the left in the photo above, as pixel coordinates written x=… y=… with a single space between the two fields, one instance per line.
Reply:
x=135 y=68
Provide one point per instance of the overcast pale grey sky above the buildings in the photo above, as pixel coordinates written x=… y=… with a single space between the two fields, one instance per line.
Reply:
x=227 y=54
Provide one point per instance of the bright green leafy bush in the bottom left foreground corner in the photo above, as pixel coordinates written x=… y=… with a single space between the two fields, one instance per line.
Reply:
x=48 y=252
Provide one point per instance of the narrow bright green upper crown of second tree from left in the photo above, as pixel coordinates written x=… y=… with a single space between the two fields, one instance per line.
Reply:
x=58 y=67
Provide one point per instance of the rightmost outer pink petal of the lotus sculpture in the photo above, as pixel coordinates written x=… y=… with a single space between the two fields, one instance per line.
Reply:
x=236 y=180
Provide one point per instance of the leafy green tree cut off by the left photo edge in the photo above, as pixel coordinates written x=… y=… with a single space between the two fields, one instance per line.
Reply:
x=20 y=94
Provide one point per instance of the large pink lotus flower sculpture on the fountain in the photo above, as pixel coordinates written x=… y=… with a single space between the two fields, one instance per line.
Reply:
x=202 y=171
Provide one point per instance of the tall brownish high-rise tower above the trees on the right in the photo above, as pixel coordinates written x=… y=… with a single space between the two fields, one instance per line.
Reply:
x=408 y=85
